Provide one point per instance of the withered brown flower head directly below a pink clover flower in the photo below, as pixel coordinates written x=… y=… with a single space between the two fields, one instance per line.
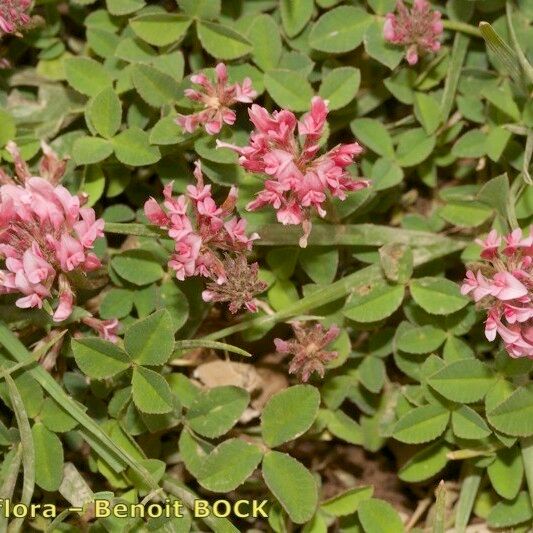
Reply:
x=241 y=285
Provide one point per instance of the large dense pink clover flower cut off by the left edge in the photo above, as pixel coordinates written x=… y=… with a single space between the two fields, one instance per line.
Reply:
x=45 y=235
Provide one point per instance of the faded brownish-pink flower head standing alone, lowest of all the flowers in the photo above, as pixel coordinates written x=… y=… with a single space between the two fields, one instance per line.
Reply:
x=308 y=349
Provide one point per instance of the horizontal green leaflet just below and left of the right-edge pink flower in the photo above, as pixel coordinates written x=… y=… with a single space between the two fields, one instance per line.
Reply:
x=463 y=381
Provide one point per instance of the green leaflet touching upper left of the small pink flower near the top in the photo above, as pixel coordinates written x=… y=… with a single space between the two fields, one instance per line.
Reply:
x=155 y=87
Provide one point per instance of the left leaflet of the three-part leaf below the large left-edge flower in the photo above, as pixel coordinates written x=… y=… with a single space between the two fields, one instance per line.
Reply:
x=99 y=359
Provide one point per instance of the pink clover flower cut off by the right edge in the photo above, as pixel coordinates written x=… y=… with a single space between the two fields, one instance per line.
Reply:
x=503 y=285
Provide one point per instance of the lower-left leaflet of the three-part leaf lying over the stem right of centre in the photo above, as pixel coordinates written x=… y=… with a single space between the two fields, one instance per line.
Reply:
x=379 y=303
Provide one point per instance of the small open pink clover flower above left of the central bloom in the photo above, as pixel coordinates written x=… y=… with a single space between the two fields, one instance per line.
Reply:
x=217 y=100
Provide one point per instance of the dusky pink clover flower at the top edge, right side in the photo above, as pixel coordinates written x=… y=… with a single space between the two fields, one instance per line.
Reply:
x=419 y=29
